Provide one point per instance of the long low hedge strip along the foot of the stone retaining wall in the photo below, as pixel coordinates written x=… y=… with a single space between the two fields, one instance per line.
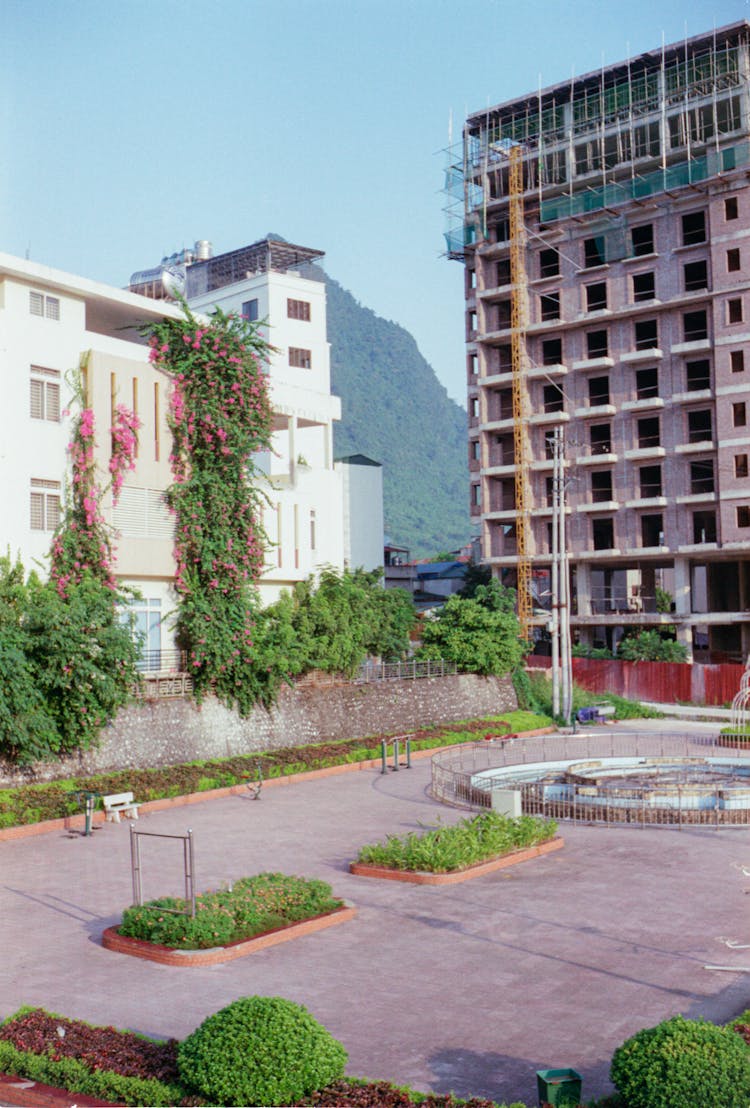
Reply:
x=33 y=804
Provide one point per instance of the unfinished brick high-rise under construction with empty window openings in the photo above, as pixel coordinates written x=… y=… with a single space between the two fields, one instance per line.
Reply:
x=605 y=229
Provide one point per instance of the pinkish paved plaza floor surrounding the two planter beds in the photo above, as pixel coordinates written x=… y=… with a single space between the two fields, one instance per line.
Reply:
x=469 y=988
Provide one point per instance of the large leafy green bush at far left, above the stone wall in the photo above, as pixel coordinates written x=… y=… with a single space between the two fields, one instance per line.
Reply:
x=67 y=664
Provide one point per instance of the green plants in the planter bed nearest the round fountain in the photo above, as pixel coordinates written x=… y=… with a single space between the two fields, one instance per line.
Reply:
x=472 y=840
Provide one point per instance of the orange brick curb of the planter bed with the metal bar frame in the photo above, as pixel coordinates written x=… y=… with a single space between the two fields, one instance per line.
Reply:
x=168 y=956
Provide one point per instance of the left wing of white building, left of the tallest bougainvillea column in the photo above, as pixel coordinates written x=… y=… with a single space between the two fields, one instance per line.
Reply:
x=52 y=322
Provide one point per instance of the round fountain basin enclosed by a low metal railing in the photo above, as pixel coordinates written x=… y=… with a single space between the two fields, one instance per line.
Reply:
x=457 y=779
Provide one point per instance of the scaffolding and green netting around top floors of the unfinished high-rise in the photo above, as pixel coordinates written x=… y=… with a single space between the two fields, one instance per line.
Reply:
x=588 y=143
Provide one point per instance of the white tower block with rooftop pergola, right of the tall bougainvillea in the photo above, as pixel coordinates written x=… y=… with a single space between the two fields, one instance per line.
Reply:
x=281 y=285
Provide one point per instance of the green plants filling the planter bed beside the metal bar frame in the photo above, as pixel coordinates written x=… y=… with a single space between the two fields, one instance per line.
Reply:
x=251 y=908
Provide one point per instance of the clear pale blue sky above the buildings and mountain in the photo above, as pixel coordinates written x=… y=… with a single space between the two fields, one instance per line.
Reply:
x=131 y=129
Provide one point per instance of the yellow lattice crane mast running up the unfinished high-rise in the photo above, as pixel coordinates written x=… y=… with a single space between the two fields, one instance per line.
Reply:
x=519 y=325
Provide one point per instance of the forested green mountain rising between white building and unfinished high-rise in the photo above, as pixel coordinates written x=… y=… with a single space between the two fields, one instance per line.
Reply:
x=396 y=412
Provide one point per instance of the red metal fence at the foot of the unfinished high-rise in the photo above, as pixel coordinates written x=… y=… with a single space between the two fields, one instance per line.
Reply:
x=664 y=682
